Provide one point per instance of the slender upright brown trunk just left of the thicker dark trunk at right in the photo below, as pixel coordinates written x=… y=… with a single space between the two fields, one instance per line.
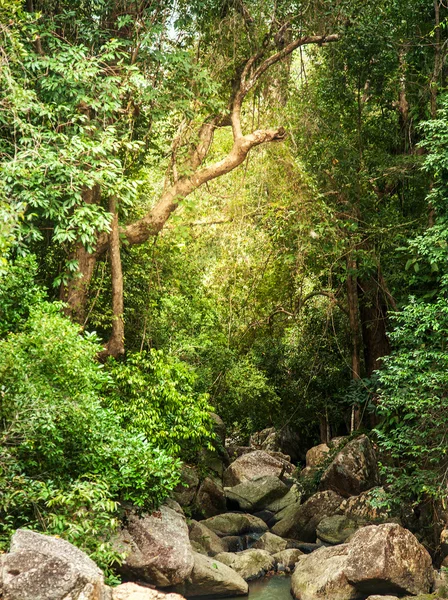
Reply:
x=353 y=314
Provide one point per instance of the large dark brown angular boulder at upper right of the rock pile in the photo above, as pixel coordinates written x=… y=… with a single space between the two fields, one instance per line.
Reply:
x=353 y=470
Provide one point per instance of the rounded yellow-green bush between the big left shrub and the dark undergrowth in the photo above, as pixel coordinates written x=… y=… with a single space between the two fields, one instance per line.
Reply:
x=153 y=393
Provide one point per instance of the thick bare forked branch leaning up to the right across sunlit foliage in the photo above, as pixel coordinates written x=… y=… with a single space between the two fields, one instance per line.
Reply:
x=152 y=223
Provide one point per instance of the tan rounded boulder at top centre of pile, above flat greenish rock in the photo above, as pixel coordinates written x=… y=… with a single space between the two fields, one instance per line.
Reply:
x=252 y=465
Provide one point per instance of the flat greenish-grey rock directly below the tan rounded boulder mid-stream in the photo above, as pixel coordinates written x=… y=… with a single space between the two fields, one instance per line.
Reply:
x=255 y=494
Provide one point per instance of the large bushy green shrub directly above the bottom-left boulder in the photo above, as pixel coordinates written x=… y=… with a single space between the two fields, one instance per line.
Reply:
x=65 y=460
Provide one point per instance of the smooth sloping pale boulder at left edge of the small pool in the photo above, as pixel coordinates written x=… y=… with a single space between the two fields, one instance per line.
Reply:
x=212 y=578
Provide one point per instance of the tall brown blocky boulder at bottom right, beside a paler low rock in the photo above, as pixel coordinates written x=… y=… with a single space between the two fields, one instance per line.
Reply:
x=388 y=559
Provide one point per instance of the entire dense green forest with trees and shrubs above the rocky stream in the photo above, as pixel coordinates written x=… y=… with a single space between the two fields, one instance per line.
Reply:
x=216 y=205
